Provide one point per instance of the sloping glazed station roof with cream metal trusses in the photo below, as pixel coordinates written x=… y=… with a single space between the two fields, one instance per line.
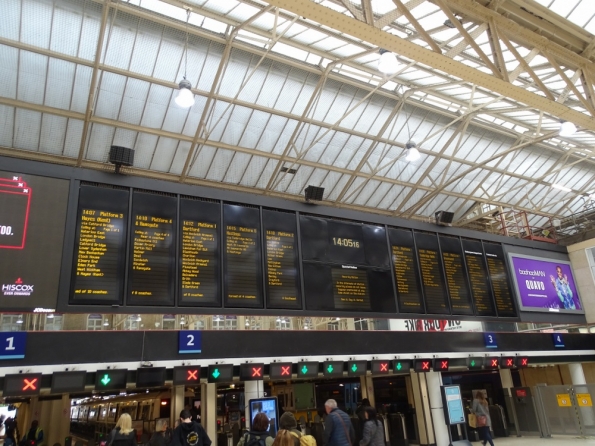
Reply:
x=480 y=91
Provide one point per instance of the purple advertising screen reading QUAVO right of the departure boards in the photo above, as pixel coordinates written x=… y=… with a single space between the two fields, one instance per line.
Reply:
x=545 y=284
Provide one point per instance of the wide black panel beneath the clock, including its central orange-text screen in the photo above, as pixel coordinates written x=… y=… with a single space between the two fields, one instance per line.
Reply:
x=344 y=287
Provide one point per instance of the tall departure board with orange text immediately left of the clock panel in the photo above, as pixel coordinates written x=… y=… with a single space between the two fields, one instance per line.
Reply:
x=281 y=260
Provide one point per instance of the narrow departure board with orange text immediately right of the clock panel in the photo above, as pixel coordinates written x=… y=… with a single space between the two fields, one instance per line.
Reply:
x=406 y=271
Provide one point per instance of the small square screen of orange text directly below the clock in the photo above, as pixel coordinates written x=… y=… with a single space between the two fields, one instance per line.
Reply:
x=350 y=288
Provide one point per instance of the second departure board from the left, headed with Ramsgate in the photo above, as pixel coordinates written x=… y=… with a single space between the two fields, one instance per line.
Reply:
x=151 y=267
